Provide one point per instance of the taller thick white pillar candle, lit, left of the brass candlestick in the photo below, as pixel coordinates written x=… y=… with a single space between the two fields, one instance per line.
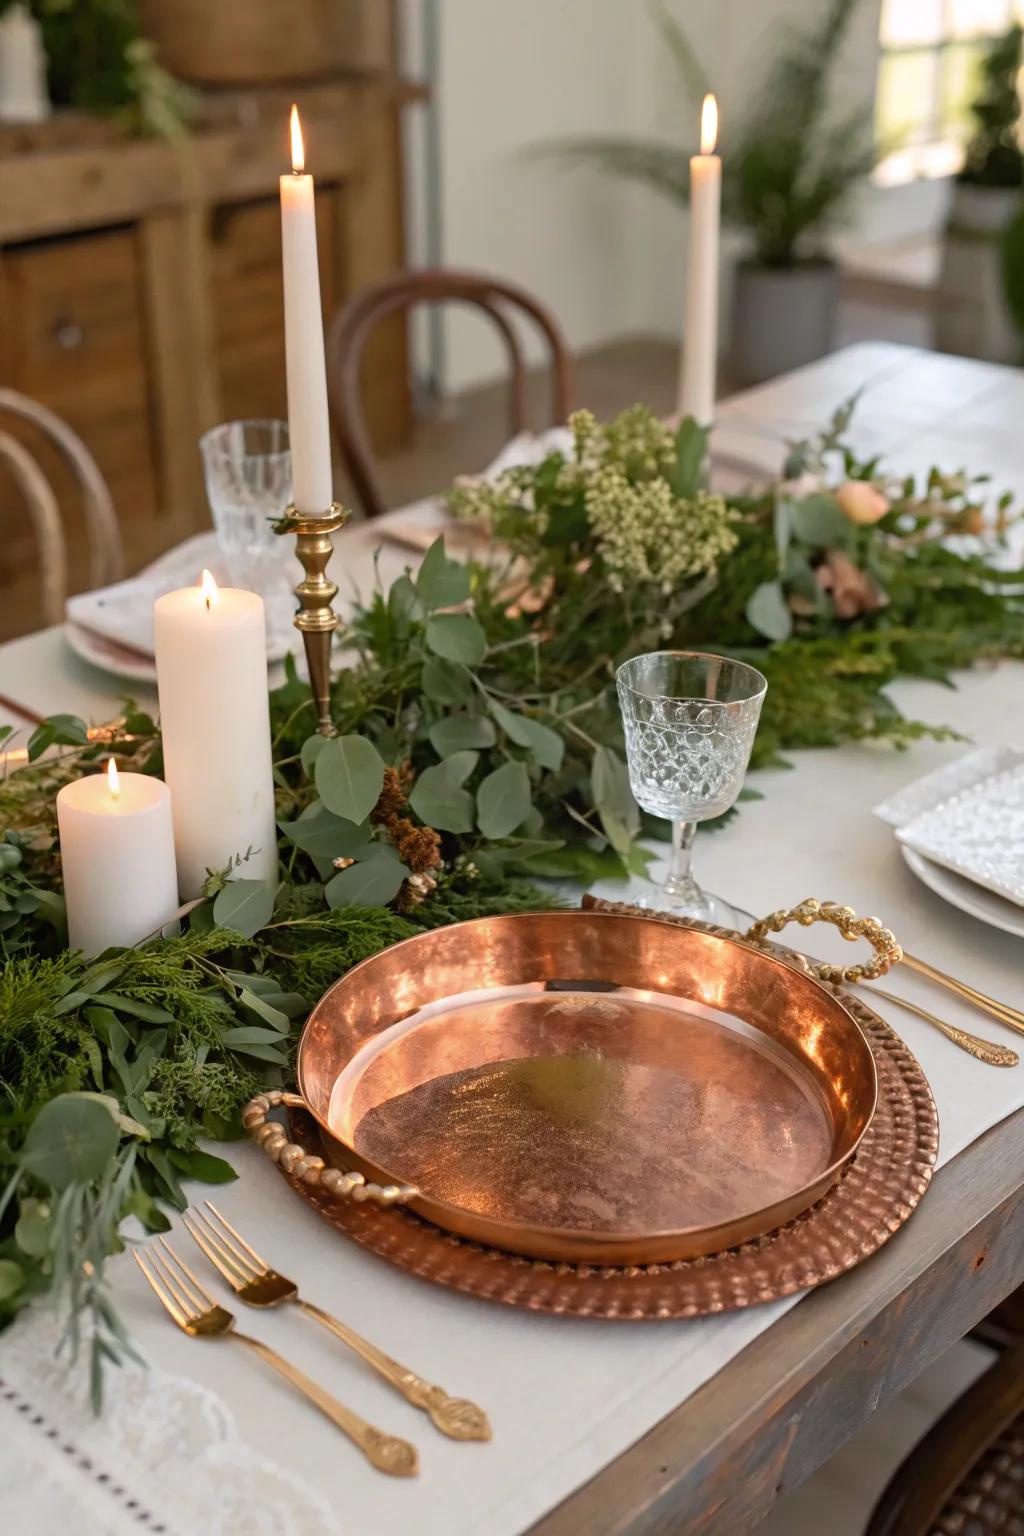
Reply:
x=216 y=727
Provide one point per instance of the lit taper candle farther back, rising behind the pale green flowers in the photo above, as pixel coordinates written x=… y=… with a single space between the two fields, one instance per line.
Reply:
x=701 y=340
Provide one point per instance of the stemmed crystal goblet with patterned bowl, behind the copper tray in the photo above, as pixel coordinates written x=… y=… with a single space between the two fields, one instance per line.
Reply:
x=690 y=723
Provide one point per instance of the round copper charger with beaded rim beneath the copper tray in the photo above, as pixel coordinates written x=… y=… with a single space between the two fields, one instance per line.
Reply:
x=877 y=1194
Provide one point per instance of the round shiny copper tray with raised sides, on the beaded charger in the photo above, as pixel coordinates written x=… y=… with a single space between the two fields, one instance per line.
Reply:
x=589 y=1087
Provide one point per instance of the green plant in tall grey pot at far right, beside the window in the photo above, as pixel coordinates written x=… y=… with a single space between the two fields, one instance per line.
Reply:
x=971 y=310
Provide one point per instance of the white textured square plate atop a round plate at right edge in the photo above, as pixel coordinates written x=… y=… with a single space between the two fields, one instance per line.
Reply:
x=977 y=833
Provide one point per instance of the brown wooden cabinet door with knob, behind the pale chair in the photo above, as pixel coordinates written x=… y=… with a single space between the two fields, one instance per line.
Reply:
x=73 y=340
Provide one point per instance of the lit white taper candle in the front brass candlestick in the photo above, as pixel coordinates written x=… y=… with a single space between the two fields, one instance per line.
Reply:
x=309 y=425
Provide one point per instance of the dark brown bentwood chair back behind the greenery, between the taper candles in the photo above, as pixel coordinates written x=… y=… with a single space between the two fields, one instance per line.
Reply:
x=358 y=319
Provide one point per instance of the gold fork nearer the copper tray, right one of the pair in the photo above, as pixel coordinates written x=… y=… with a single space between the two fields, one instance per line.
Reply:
x=260 y=1286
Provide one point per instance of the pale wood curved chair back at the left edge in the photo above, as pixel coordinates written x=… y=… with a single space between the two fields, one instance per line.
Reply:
x=42 y=506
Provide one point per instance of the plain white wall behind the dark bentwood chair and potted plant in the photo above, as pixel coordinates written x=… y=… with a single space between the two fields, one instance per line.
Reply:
x=607 y=257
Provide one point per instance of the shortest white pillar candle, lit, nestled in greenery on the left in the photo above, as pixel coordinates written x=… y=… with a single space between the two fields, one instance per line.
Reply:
x=117 y=855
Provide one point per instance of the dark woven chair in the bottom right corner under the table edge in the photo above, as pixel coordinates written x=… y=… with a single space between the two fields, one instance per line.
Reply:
x=966 y=1477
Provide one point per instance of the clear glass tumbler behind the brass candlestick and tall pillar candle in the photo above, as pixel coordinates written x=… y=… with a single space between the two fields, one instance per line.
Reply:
x=249 y=485
